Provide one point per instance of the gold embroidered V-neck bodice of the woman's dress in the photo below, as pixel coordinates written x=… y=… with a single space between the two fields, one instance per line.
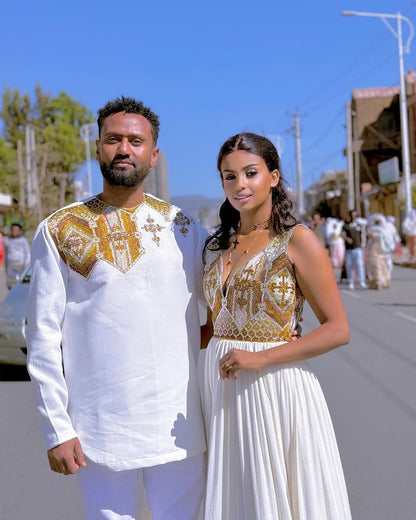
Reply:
x=262 y=301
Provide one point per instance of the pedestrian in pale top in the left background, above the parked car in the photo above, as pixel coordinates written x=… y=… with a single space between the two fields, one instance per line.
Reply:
x=17 y=253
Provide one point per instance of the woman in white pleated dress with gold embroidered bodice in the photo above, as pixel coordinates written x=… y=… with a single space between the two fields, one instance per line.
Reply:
x=272 y=452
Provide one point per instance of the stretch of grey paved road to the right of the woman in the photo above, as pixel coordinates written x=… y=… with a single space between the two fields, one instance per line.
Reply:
x=370 y=387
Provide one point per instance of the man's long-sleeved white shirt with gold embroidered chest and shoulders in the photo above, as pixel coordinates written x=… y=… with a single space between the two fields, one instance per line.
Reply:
x=130 y=332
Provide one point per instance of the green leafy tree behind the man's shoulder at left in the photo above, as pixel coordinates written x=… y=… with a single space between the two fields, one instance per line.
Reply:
x=60 y=151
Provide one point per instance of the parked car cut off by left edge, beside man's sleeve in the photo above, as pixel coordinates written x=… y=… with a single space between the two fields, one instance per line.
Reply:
x=13 y=322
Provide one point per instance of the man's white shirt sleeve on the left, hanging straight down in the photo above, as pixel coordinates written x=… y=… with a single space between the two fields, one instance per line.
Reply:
x=46 y=309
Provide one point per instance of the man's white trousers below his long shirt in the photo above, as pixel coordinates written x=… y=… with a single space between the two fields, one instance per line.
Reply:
x=174 y=490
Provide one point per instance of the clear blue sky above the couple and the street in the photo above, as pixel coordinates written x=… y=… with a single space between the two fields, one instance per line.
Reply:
x=210 y=70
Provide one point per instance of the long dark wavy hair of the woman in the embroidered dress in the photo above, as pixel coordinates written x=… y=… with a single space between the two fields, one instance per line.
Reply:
x=282 y=205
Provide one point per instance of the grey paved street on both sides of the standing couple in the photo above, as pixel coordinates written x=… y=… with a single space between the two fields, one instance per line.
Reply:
x=370 y=387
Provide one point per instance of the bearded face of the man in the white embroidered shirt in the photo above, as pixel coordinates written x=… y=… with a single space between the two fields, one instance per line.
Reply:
x=125 y=149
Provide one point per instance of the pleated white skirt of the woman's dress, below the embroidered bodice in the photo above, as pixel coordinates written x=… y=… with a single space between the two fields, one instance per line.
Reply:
x=272 y=452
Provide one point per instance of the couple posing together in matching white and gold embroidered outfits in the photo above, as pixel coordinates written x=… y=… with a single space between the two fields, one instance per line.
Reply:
x=114 y=332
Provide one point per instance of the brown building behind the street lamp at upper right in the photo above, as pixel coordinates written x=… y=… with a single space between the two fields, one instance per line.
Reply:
x=376 y=138
